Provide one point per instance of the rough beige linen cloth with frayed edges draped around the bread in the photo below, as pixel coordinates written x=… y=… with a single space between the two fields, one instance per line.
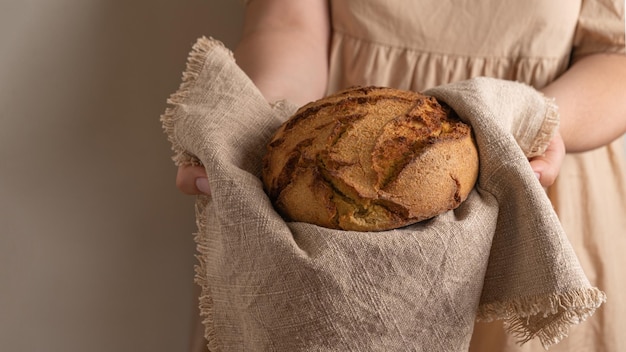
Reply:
x=270 y=285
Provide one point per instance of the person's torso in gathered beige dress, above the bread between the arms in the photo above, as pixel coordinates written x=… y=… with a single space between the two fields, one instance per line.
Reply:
x=419 y=44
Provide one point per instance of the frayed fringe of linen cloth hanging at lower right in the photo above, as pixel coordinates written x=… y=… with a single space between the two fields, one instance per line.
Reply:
x=561 y=310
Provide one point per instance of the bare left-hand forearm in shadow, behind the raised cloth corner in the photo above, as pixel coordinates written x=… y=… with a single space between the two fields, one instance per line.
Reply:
x=284 y=48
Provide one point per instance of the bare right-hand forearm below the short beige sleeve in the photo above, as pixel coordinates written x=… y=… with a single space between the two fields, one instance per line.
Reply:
x=591 y=97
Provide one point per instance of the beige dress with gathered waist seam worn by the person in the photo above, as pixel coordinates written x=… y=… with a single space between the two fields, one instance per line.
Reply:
x=421 y=44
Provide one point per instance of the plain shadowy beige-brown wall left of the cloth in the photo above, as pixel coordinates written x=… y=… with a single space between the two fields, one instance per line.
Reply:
x=96 y=251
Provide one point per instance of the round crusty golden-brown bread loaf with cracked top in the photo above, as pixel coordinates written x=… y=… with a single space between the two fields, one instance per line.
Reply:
x=369 y=159
